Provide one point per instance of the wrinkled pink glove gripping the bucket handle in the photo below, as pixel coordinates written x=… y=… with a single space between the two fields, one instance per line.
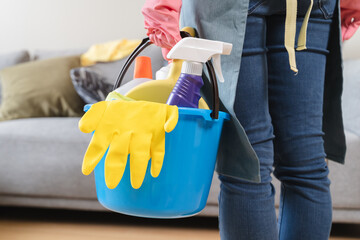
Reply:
x=162 y=22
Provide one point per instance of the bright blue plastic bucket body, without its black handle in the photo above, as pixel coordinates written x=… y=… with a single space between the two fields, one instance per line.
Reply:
x=182 y=188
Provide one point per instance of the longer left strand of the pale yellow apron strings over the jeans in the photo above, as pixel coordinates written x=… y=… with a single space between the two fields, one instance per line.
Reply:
x=290 y=32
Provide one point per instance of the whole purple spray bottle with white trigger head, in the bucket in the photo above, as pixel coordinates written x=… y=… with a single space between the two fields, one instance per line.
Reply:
x=195 y=52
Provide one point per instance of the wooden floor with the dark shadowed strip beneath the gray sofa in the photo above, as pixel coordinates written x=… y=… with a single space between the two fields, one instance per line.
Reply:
x=40 y=224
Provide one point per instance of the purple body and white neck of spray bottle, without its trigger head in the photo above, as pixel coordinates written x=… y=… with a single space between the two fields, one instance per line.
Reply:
x=186 y=92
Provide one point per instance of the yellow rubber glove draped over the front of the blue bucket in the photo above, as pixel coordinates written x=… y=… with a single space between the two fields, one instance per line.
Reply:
x=136 y=128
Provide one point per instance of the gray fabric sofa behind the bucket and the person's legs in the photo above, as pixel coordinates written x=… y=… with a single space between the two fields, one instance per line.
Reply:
x=40 y=163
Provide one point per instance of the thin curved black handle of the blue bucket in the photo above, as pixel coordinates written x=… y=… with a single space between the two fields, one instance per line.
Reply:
x=144 y=44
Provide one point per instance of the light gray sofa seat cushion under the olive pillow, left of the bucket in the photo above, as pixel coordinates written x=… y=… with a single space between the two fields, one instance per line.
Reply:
x=42 y=157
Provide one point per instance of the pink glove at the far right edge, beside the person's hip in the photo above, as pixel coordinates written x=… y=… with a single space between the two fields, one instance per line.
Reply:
x=350 y=17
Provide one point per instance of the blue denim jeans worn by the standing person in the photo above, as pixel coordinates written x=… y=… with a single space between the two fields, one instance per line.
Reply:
x=282 y=115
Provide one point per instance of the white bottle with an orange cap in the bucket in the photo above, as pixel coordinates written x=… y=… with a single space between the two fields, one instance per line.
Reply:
x=142 y=74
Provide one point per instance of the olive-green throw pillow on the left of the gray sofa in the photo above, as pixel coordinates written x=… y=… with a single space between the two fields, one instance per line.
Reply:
x=40 y=89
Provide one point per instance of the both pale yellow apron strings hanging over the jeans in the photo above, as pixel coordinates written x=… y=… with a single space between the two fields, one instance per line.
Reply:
x=290 y=31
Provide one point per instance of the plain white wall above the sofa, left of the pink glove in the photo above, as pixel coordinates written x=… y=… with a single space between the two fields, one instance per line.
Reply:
x=67 y=24
